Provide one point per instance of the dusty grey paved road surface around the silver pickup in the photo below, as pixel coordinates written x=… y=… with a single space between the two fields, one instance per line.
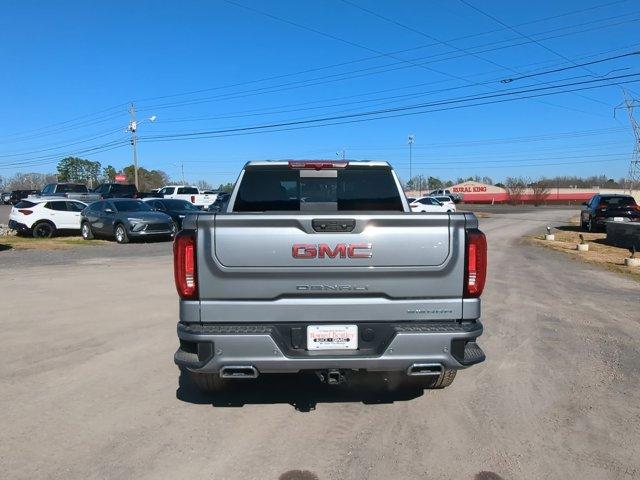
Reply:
x=88 y=388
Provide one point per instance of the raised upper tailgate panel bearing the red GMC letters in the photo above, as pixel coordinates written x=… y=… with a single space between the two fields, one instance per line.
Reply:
x=392 y=241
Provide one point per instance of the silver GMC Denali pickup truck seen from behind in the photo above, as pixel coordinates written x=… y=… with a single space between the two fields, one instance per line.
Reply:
x=321 y=266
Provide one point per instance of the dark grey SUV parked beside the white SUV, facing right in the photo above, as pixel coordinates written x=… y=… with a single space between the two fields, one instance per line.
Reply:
x=124 y=219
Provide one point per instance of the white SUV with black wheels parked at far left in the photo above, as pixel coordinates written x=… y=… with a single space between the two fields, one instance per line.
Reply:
x=42 y=217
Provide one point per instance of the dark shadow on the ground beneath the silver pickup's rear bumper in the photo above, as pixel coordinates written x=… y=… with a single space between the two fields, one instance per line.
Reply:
x=302 y=391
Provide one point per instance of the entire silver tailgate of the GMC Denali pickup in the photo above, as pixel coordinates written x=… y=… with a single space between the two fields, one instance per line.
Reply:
x=247 y=271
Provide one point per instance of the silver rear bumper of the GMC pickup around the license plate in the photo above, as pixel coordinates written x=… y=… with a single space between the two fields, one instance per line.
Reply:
x=208 y=348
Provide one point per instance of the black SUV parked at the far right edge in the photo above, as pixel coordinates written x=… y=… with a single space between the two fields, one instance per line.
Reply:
x=608 y=207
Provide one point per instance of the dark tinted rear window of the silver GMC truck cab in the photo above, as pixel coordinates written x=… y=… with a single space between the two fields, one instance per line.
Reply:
x=281 y=188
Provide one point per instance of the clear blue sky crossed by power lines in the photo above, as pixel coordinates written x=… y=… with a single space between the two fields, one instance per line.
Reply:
x=231 y=81
